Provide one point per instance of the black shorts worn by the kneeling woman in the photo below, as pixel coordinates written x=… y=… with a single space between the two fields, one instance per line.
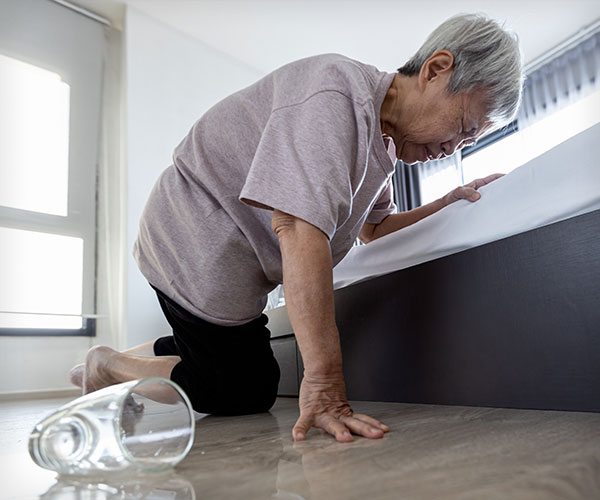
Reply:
x=224 y=370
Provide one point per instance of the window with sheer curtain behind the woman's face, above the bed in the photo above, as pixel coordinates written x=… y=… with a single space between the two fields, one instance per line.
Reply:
x=560 y=100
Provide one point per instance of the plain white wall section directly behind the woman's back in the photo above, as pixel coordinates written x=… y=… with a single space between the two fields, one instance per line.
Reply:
x=171 y=80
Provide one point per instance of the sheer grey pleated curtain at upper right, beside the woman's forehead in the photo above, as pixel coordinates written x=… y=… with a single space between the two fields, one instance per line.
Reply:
x=565 y=79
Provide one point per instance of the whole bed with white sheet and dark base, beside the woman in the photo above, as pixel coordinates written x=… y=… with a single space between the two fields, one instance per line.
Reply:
x=495 y=303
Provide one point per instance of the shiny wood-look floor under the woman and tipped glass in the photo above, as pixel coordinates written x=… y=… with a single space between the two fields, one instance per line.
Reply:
x=432 y=452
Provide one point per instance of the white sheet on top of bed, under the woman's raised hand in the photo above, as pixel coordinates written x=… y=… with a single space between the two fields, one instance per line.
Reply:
x=562 y=183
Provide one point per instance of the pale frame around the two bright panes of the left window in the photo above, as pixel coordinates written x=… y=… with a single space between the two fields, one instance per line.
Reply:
x=52 y=37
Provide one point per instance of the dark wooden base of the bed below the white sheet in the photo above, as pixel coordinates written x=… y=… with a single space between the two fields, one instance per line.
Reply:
x=513 y=323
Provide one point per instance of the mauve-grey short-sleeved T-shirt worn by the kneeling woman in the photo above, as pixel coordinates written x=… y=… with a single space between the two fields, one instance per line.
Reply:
x=306 y=140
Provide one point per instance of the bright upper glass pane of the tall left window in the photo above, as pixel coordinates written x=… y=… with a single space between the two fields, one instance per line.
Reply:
x=34 y=138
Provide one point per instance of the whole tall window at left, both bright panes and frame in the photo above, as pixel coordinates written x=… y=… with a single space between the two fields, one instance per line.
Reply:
x=50 y=101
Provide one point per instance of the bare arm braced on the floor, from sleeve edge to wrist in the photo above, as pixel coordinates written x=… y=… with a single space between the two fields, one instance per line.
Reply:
x=308 y=285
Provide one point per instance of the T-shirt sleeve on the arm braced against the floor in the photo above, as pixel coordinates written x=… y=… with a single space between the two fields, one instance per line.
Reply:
x=306 y=160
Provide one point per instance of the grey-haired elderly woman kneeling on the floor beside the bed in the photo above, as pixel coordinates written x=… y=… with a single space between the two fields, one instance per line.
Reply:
x=273 y=185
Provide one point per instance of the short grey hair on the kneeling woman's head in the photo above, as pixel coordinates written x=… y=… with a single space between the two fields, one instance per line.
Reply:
x=486 y=57
